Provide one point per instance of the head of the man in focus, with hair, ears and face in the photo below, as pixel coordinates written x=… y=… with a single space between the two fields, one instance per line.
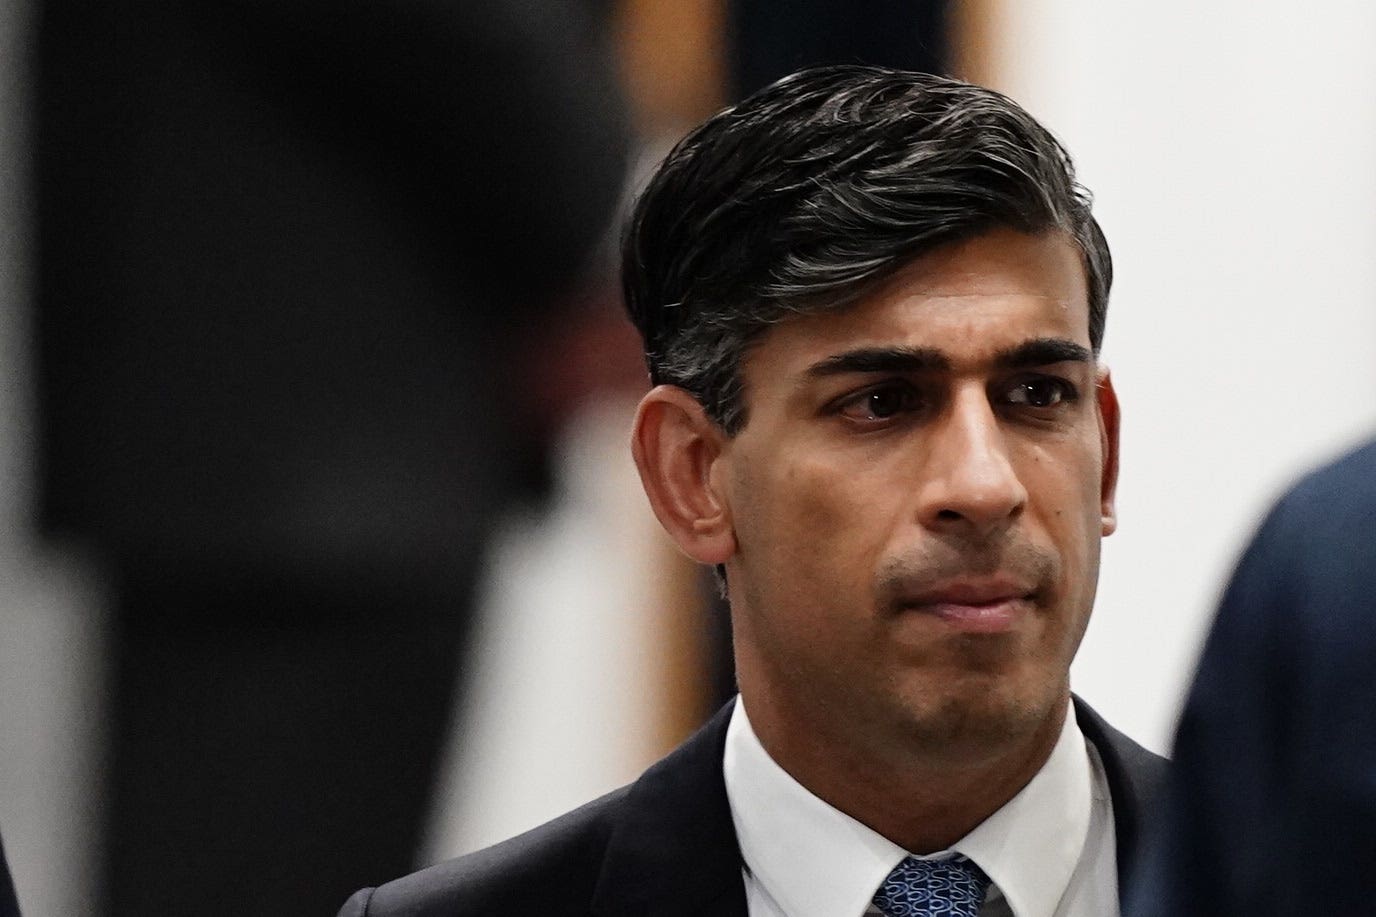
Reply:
x=873 y=304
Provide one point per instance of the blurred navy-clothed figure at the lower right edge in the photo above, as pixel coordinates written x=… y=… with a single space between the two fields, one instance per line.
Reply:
x=1273 y=805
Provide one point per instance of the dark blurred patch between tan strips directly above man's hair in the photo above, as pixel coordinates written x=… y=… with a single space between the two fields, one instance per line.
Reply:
x=775 y=38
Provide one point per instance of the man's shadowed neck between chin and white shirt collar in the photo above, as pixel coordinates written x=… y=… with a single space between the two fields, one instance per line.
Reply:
x=921 y=799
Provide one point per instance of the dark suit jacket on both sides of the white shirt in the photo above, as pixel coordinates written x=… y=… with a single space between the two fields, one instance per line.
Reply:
x=667 y=846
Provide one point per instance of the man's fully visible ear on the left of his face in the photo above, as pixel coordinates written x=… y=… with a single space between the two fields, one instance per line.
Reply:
x=675 y=445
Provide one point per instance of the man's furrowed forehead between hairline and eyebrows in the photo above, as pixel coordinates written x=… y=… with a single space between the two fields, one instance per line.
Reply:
x=968 y=301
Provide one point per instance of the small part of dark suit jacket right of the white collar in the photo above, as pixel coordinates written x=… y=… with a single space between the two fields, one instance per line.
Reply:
x=1136 y=780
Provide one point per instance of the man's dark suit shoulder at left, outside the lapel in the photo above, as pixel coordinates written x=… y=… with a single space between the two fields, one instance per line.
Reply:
x=519 y=875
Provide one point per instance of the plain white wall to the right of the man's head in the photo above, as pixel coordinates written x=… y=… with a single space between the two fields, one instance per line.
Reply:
x=1232 y=151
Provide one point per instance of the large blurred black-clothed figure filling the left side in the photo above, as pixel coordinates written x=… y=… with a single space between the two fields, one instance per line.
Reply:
x=288 y=254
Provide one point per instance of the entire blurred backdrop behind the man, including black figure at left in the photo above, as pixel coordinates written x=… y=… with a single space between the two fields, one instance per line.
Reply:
x=321 y=551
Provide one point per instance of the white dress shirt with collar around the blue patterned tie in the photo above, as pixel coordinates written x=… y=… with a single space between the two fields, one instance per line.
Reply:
x=1049 y=850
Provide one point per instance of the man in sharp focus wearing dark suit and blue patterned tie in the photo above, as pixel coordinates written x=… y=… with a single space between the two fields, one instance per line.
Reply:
x=872 y=304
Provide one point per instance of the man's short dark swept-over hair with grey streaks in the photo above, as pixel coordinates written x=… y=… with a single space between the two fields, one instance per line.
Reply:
x=813 y=192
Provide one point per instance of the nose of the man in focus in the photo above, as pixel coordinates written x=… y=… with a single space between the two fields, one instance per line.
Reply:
x=969 y=483
